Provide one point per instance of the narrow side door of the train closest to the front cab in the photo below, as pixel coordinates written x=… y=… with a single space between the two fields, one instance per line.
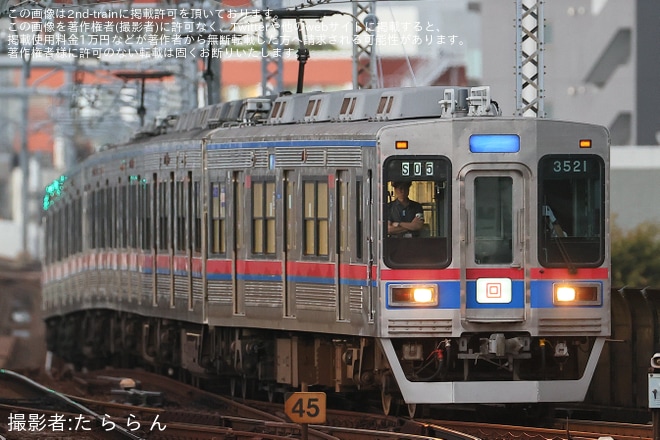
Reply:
x=343 y=253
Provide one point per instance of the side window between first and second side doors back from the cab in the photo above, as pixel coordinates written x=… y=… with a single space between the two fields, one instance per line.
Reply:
x=315 y=218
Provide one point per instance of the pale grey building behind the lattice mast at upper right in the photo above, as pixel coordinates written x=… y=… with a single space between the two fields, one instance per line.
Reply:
x=602 y=63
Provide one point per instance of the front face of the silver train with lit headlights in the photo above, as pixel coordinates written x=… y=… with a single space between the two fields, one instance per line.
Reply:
x=499 y=292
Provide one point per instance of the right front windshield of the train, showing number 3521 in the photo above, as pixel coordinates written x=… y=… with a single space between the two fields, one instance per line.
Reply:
x=571 y=211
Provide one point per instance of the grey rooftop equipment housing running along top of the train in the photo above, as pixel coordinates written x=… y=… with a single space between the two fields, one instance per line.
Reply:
x=365 y=105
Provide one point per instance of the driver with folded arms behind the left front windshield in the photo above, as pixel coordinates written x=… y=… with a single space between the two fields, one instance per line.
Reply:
x=405 y=216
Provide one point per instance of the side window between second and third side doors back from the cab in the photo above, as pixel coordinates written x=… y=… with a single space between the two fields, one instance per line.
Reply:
x=263 y=217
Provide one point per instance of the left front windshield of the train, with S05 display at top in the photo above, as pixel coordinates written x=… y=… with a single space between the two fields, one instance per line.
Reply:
x=417 y=212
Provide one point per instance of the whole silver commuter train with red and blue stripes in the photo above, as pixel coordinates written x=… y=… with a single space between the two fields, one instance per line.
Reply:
x=255 y=243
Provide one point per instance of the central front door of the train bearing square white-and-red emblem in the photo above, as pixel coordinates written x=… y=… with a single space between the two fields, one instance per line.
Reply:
x=492 y=266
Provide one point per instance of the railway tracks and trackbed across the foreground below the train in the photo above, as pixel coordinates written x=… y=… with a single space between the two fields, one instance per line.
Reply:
x=185 y=412
